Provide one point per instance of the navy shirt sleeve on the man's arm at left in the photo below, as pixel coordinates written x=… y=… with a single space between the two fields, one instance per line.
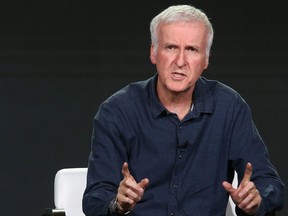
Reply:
x=105 y=162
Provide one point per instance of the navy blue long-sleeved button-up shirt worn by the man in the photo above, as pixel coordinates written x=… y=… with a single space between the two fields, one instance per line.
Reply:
x=186 y=161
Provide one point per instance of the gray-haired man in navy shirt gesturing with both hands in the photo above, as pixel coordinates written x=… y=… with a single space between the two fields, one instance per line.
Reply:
x=169 y=145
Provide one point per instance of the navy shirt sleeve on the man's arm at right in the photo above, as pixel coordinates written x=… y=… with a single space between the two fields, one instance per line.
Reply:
x=248 y=146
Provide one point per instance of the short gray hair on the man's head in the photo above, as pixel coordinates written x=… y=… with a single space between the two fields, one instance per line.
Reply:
x=177 y=13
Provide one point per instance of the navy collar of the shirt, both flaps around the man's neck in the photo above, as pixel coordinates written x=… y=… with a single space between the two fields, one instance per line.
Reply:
x=202 y=99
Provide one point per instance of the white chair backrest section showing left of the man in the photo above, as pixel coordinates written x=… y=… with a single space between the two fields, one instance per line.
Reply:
x=69 y=186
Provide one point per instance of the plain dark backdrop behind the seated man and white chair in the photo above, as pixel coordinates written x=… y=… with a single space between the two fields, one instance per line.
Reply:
x=60 y=59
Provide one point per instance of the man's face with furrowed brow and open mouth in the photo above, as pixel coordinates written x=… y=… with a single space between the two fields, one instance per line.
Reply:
x=180 y=57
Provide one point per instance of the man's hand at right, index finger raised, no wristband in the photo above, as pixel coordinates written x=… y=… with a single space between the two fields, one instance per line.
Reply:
x=246 y=196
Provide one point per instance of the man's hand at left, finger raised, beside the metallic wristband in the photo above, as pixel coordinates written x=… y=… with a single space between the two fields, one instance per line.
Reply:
x=129 y=191
